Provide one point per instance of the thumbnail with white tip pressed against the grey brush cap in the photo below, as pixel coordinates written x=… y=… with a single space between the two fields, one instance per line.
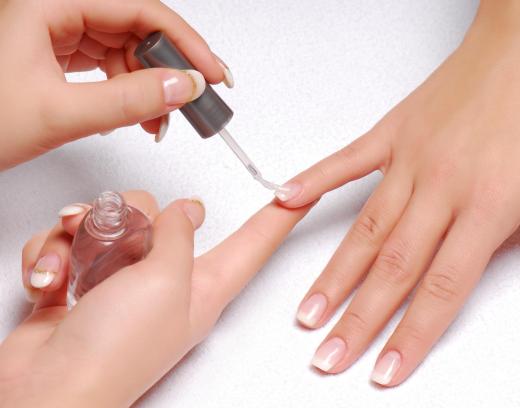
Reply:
x=183 y=86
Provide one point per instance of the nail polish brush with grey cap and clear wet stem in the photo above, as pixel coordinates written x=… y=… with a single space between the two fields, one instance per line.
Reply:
x=208 y=114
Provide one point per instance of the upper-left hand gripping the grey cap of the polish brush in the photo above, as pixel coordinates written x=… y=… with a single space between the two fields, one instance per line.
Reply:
x=42 y=39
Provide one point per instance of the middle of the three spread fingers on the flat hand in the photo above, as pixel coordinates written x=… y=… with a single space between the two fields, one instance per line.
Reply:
x=397 y=269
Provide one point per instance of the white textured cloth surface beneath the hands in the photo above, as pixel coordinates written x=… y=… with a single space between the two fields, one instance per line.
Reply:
x=310 y=77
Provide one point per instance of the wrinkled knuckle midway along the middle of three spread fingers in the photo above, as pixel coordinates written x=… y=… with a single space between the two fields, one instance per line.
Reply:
x=393 y=265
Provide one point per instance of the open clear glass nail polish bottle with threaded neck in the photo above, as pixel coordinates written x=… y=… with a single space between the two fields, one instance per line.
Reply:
x=111 y=236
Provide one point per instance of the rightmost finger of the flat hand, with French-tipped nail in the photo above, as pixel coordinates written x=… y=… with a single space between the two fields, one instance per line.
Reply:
x=449 y=281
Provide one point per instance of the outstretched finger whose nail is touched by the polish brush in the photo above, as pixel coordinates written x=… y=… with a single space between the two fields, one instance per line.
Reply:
x=363 y=156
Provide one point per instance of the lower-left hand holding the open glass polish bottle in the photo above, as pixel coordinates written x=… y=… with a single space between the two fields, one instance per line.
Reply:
x=127 y=332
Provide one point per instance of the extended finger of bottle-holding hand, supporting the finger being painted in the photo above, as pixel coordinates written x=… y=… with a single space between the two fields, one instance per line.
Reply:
x=222 y=272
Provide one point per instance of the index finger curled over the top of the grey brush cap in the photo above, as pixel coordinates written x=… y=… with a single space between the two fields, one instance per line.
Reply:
x=140 y=17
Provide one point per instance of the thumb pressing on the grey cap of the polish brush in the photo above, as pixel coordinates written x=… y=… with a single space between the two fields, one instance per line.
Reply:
x=127 y=99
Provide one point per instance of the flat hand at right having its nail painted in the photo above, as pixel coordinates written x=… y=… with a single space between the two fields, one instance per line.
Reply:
x=449 y=197
